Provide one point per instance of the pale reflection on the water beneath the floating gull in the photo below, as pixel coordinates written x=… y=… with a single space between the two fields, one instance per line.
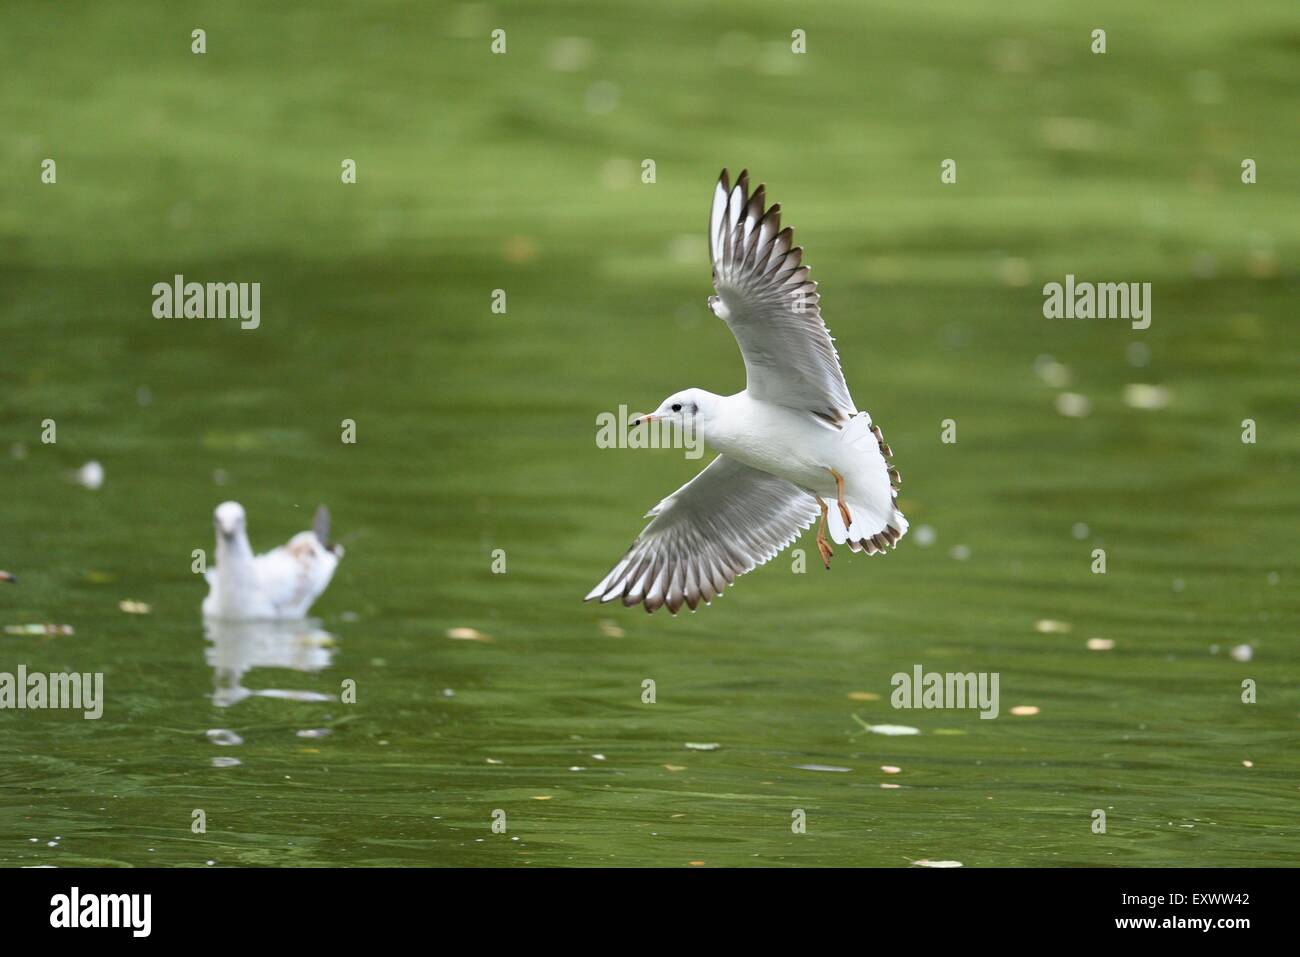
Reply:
x=237 y=648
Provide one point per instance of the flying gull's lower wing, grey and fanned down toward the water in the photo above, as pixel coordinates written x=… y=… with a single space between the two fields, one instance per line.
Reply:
x=713 y=530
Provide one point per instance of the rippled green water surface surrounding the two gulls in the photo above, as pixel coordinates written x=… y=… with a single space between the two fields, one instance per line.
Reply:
x=478 y=431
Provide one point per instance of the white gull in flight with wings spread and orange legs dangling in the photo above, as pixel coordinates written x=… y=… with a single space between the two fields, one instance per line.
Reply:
x=788 y=443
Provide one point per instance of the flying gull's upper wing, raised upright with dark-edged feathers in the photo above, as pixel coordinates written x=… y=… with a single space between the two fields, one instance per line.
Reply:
x=772 y=306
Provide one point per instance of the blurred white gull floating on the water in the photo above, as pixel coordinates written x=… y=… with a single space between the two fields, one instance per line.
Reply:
x=279 y=586
